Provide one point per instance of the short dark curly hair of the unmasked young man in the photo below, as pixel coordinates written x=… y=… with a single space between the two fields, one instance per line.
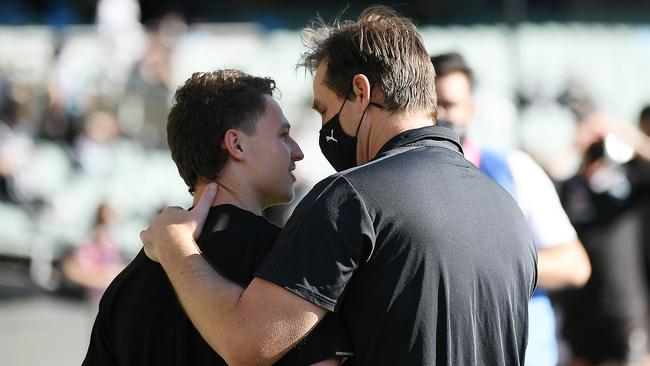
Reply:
x=204 y=108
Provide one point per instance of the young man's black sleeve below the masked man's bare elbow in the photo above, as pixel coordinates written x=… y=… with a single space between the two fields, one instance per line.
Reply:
x=328 y=340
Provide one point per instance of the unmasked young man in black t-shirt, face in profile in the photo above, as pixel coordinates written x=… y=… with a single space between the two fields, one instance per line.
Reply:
x=224 y=127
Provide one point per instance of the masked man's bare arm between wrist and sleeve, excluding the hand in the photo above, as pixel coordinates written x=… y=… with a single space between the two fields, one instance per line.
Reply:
x=228 y=317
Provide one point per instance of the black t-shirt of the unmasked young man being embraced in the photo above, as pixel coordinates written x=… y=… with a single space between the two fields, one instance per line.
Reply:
x=140 y=321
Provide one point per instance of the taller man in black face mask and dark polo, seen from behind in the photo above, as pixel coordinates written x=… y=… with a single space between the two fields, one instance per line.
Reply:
x=425 y=259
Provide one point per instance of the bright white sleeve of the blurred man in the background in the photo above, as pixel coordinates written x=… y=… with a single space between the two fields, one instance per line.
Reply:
x=539 y=202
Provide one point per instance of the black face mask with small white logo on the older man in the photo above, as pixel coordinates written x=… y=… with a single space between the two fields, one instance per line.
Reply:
x=337 y=147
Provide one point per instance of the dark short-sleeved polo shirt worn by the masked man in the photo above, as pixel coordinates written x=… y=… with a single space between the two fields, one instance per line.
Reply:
x=425 y=259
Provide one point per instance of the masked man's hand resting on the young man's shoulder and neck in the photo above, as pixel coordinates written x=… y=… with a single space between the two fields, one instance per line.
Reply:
x=173 y=232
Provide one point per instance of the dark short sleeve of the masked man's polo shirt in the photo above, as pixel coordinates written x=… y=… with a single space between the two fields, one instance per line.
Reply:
x=327 y=238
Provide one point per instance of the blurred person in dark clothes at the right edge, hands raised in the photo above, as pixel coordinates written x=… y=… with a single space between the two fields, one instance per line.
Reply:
x=606 y=322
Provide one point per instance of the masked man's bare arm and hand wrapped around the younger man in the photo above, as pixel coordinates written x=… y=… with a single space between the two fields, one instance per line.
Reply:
x=256 y=325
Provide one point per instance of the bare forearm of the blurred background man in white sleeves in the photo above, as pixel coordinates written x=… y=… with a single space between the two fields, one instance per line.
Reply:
x=565 y=265
